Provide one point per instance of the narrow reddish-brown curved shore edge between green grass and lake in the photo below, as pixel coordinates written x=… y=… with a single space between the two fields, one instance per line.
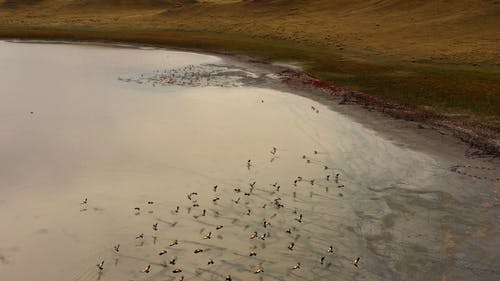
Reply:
x=484 y=141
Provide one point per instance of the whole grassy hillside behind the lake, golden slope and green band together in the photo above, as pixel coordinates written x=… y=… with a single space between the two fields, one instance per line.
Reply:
x=436 y=55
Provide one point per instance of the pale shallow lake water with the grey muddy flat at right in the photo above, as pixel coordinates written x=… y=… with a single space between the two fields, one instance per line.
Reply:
x=122 y=127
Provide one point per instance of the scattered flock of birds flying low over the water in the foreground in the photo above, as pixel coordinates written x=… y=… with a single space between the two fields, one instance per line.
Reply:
x=275 y=202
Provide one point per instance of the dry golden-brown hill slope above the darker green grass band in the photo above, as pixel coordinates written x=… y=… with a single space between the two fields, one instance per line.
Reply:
x=461 y=30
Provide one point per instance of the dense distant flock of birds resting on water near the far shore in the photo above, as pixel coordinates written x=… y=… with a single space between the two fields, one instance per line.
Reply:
x=194 y=76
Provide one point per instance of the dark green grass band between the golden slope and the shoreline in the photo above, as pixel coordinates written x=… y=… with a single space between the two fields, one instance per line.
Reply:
x=471 y=94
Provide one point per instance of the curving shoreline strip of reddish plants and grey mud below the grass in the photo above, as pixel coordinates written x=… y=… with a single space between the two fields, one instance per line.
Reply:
x=481 y=141
